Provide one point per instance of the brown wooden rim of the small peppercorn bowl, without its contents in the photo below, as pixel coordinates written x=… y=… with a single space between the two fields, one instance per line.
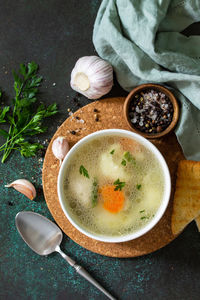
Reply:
x=159 y=88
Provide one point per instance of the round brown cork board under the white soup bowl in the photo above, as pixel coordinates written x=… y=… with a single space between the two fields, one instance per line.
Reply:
x=110 y=112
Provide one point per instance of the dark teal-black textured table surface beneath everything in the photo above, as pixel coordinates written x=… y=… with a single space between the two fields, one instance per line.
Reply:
x=55 y=33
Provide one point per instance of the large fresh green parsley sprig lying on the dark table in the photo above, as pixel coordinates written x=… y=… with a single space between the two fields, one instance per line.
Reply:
x=23 y=118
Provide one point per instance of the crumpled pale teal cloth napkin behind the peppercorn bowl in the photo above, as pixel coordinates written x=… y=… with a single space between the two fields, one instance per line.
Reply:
x=142 y=41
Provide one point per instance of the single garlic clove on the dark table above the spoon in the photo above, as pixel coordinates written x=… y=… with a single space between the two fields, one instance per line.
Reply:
x=25 y=187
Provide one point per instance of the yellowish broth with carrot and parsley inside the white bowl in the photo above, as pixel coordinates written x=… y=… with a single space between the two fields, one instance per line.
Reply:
x=113 y=186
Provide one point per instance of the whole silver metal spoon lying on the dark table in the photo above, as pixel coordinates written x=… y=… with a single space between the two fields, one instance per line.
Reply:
x=44 y=237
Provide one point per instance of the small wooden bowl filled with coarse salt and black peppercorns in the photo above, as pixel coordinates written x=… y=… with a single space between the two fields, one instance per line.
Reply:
x=151 y=110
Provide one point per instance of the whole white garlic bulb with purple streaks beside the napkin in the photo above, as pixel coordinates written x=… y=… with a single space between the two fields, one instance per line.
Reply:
x=92 y=77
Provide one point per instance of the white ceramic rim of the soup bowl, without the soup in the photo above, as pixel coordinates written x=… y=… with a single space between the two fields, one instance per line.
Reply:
x=164 y=202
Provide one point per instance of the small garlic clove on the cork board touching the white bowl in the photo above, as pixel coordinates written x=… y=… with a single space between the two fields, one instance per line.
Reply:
x=60 y=147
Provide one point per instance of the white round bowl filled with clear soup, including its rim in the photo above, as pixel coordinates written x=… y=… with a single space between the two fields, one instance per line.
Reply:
x=114 y=185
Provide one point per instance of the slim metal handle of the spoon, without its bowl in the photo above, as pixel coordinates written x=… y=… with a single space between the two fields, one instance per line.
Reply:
x=80 y=270
